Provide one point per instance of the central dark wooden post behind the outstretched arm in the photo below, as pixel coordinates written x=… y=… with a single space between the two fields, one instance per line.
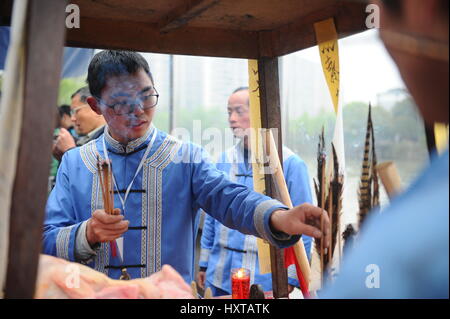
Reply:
x=269 y=90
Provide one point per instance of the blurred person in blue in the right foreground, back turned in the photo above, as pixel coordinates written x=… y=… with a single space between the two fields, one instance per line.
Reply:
x=403 y=253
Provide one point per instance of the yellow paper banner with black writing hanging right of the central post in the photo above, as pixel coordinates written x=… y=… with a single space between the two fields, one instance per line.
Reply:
x=327 y=39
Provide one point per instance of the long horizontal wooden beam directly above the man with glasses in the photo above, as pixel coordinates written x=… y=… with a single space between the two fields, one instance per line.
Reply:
x=144 y=37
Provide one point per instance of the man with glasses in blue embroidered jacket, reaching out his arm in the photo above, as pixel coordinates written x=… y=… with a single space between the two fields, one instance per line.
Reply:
x=160 y=184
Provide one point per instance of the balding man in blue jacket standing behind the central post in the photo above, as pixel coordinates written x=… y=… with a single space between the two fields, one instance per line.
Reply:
x=223 y=248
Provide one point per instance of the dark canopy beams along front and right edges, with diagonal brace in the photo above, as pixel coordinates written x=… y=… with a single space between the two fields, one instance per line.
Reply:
x=183 y=39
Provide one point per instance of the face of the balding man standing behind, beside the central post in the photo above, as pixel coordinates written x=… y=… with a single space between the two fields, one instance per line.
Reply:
x=238 y=113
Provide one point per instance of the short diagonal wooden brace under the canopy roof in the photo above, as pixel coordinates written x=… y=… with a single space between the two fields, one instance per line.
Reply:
x=181 y=15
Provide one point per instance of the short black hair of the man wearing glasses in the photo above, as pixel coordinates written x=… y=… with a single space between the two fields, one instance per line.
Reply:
x=113 y=63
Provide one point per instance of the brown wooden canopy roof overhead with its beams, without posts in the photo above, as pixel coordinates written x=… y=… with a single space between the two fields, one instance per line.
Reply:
x=226 y=28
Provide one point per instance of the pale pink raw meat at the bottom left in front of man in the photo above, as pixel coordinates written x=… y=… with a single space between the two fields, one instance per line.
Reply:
x=60 y=279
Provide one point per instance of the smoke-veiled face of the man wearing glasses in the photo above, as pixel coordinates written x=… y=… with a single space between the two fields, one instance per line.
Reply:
x=134 y=89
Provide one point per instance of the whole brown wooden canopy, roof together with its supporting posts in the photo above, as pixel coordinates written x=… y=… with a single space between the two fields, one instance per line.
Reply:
x=252 y=29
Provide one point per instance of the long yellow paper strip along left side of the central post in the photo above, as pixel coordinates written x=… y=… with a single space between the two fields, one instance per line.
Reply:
x=257 y=156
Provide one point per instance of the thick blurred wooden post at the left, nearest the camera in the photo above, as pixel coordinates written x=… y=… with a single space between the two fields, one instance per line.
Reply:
x=45 y=41
